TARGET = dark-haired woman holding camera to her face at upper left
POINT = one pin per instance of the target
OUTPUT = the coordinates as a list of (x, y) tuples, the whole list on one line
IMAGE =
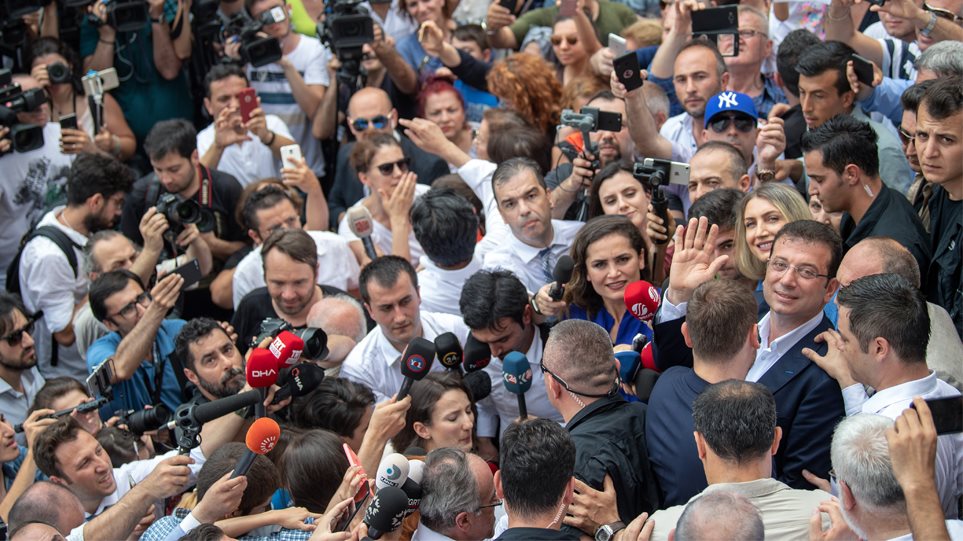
[(57, 68)]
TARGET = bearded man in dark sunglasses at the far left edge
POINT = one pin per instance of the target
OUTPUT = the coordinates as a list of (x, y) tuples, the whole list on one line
[(19, 378)]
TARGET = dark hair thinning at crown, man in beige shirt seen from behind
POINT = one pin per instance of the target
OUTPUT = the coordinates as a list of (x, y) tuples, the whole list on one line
[(737, 419)]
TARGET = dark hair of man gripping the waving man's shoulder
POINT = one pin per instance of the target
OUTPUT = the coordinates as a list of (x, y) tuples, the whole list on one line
[(872, 300)]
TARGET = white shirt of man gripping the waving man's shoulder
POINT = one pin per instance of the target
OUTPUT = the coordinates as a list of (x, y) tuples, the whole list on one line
[(892, 401)]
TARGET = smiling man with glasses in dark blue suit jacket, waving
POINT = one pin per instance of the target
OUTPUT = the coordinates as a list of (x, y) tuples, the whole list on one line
[(800, 279)]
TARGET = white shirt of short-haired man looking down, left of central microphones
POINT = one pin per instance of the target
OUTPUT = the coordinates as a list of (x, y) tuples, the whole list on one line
[(375, 362)]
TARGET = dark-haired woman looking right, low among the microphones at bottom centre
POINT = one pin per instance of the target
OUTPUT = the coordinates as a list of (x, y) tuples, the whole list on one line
[(441, 415)]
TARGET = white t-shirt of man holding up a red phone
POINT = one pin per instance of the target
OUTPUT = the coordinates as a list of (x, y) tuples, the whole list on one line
[(248, 161)]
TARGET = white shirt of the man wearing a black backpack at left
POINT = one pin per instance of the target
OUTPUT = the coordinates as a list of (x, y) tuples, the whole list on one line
[(48, 283)]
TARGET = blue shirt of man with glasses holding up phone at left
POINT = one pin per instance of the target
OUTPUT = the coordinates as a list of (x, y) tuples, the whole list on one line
[(135, 393)]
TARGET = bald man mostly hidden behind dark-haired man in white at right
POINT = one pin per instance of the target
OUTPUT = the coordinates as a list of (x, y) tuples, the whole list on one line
[(877, 255)]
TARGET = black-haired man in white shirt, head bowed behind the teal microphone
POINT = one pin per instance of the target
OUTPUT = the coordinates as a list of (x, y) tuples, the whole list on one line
[(496, 309)]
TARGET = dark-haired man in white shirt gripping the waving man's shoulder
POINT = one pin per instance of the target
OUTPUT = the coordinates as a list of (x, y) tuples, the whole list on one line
[(875, 349)]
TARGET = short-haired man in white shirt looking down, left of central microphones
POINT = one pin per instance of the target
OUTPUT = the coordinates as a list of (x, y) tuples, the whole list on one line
[(389, 289)]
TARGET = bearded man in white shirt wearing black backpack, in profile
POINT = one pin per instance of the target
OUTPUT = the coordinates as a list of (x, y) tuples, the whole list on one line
[(49, 281)]
